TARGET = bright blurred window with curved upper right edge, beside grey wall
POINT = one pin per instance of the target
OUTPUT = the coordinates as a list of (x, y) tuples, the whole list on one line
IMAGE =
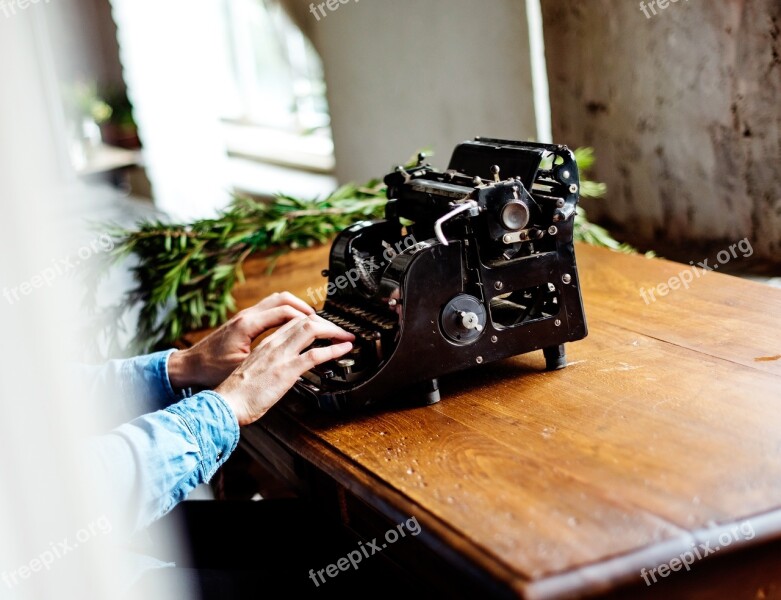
[(274, 108)]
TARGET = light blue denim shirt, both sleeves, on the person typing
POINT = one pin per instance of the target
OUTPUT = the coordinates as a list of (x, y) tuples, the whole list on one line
[(152, 462)]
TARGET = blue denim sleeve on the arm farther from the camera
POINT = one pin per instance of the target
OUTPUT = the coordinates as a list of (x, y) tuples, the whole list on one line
[(125, 389)]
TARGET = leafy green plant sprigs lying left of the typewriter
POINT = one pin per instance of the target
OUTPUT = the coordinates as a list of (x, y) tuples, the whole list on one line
[(185, 273)]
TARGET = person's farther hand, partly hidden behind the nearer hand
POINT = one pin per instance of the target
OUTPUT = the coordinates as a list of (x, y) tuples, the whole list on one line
[(206, 364)]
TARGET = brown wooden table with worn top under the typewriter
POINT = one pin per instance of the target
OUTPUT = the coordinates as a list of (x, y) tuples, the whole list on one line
[(663, 432)]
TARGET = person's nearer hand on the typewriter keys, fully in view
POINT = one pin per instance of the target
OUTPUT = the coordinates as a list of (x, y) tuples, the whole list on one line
[(276, 364)]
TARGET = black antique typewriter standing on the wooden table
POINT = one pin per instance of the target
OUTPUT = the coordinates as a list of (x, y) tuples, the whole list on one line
[(470, 265)]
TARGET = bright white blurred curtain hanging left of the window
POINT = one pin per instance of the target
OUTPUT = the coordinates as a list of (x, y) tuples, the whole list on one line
[(174, 64)]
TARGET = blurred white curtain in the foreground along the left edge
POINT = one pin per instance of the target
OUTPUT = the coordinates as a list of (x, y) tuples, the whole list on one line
[(46, 495)]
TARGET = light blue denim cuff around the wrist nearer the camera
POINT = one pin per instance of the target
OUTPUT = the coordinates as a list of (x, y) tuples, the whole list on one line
[(211, 421)]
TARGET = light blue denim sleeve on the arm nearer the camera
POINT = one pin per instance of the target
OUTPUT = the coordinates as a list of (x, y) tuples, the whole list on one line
[(152, 463)]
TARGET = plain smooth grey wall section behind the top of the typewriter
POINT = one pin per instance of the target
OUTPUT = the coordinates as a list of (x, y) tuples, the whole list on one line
[(405, 74)]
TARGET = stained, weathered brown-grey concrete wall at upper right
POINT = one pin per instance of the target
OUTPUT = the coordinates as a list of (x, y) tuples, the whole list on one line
[(684, 111)]
